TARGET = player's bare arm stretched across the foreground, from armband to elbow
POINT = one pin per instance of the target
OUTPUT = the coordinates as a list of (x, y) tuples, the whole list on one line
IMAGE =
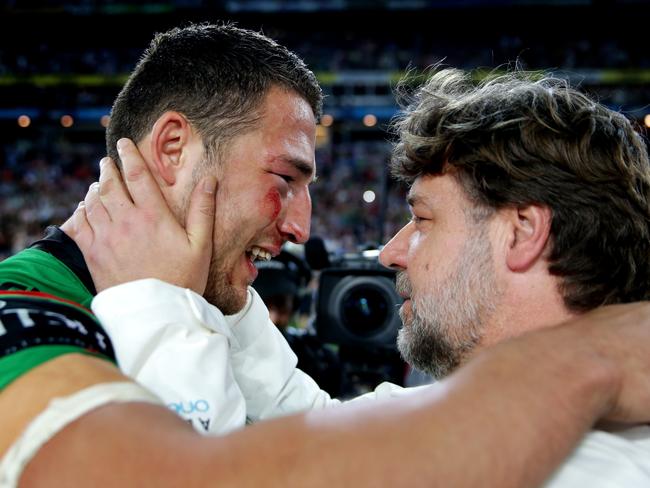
[(487, 426)]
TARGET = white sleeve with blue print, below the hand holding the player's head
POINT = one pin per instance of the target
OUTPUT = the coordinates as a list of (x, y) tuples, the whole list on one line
[(174, 343)]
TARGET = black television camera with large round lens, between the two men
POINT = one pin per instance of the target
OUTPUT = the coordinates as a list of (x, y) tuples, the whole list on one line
[(356, 310)]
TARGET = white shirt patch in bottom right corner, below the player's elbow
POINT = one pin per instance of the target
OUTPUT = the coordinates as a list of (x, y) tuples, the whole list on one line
[(607, 460)]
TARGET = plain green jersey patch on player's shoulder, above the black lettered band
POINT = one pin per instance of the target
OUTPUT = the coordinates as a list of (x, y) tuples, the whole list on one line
[(38, 270)]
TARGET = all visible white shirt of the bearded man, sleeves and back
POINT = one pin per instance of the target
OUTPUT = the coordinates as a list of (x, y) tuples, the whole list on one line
[(219, 372)]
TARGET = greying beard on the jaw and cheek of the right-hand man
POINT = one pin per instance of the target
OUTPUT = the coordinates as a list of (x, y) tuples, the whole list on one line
[(447, 320)]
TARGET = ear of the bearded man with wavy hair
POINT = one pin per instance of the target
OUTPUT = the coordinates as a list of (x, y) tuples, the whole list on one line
[(530, 228)]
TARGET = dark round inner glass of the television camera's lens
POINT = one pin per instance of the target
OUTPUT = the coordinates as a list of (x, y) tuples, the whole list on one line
[(364, 309)]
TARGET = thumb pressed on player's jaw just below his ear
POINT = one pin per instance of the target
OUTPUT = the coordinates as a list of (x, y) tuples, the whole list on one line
[(200, 217)]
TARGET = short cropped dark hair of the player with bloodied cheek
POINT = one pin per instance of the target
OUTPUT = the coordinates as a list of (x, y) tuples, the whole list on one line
[(217, 75)]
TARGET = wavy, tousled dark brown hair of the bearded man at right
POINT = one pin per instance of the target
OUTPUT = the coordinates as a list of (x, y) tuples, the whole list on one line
[(522, 138)]
